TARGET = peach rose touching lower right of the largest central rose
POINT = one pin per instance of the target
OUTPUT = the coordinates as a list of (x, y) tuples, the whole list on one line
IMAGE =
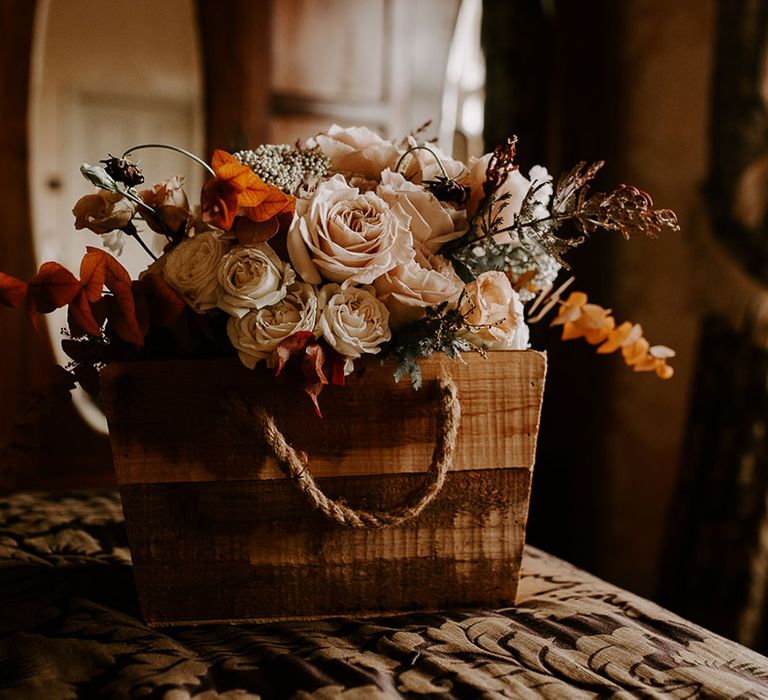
[(407, 290)]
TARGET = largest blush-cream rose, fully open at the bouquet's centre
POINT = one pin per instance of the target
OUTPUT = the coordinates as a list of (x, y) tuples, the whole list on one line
[(346, 236)]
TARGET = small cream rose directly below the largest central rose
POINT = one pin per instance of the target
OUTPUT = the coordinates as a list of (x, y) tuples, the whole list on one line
[(353, 321)]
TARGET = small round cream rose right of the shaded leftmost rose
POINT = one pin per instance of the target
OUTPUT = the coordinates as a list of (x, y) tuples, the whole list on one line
[(251, 278)]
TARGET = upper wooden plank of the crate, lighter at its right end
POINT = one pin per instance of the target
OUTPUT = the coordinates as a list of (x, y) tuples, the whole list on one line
[(169, 421)]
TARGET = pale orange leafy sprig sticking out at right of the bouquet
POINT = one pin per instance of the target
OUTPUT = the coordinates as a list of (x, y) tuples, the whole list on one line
[(597, 326)]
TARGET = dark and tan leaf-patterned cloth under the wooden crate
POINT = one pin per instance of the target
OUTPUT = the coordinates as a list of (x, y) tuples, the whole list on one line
[(69, 627)]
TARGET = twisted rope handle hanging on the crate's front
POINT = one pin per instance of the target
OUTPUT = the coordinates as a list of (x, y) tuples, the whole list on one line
[(297, 469)]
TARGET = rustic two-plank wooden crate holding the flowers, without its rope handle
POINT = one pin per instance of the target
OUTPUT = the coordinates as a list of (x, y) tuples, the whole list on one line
[(218, 533)]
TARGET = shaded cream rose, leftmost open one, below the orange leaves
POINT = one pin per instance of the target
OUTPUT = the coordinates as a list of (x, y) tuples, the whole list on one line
[(191, 268)]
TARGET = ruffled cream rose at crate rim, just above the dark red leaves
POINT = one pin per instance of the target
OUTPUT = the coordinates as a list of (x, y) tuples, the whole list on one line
[(257, 334)]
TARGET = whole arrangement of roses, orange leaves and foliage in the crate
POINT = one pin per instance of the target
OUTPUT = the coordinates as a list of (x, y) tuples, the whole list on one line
[(310, 256)]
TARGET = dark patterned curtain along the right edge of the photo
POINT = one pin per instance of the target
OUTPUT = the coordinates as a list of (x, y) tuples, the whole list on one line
[(716, 564)]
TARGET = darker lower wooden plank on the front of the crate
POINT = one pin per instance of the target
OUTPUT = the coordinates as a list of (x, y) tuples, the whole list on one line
[(252, 550)]
